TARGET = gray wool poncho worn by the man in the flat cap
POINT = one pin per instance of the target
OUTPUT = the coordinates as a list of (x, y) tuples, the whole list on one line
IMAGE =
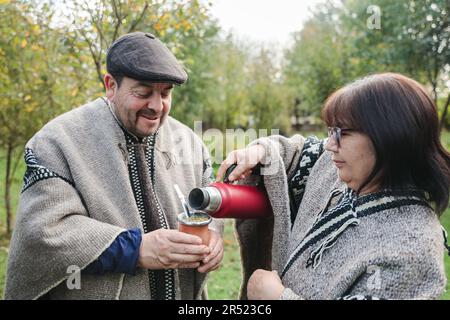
[(84, 186)]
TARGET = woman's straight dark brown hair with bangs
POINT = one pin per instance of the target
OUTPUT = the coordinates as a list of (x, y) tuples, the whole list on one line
[(401, 120)]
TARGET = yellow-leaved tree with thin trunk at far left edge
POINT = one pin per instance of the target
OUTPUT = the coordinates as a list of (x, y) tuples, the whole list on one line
[(35, 81)]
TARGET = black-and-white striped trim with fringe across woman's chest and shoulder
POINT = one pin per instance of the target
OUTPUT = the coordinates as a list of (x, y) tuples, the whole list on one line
[(330, 225)]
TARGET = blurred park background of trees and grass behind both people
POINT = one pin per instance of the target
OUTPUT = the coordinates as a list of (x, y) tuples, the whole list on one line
[(52, 59)]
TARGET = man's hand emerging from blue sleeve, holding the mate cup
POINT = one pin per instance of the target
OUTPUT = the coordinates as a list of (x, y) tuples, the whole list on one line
[(171, 249)]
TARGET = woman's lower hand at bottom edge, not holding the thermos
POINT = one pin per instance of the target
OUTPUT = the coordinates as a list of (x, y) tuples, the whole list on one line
[(264, 285)]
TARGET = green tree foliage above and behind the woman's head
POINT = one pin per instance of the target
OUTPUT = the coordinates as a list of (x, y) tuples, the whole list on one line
[(337, 45)]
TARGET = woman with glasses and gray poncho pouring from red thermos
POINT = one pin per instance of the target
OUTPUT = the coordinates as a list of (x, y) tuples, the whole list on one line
[(356, 216)]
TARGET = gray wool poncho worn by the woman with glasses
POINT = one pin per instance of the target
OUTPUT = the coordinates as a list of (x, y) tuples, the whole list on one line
[(326, 243)]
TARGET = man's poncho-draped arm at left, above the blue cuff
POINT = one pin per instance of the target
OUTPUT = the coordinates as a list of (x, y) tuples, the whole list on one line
[(53, 233)]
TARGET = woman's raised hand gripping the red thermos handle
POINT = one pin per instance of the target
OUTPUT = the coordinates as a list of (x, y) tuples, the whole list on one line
[(246, 159)]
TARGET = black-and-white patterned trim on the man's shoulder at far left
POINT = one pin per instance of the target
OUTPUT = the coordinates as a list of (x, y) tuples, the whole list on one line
[(36, 172)]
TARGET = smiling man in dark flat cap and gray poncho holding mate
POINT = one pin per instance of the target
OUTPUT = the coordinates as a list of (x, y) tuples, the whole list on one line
[(99, 197)]
